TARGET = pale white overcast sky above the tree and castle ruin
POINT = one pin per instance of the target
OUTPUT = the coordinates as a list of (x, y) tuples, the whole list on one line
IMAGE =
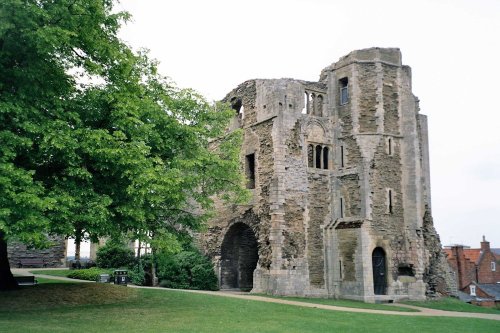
[(453, 48)]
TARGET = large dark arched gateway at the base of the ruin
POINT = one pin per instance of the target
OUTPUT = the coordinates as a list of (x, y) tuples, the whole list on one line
[(239, 256)]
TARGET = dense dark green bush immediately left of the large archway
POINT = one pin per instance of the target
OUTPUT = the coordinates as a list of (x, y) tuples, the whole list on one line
[(186, 270)]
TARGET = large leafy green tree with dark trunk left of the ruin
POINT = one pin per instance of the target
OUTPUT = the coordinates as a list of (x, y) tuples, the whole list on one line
[(93, 141)]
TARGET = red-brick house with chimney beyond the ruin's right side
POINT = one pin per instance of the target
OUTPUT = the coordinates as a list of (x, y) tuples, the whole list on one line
[(476, 269)]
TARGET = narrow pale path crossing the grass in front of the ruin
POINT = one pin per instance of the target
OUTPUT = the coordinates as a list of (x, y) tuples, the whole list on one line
[(422, 311)]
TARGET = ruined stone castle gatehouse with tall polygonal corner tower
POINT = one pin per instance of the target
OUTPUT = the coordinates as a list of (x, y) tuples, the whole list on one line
[(339, 171)]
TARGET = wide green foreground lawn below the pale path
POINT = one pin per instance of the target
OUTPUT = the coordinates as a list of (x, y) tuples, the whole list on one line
[(96, 307)]
